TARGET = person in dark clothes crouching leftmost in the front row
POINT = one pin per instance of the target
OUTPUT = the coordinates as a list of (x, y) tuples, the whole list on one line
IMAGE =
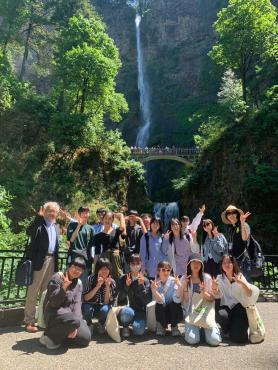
[(62, 309)]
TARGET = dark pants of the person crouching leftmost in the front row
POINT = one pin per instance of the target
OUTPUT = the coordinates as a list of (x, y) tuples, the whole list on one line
[(61, 326)]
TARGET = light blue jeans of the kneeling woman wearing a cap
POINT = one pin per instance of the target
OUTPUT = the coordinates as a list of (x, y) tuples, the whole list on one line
[(192, 335)]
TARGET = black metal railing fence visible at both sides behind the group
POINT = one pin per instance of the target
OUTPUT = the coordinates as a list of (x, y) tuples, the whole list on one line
[(12, 295)]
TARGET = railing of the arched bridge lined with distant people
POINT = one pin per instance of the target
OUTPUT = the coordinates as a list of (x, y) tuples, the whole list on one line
[(164, 151)]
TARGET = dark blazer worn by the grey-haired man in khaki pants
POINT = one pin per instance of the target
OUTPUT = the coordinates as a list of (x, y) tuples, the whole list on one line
[(38, 247)]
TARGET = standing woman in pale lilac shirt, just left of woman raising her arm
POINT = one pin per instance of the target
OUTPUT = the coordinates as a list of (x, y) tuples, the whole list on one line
[(177, 246)]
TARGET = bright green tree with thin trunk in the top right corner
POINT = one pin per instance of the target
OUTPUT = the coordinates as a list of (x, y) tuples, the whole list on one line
[(247, 31)]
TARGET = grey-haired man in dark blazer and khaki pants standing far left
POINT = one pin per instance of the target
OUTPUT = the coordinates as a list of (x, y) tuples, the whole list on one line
[(43, 252)]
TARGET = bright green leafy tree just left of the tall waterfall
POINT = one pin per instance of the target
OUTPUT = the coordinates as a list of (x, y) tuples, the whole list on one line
[(86, 67)]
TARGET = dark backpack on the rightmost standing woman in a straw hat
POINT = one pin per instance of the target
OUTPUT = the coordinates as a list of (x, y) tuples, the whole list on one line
[(256, 257)]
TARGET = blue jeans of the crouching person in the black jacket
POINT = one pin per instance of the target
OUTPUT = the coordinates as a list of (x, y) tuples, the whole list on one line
[(128, 316)]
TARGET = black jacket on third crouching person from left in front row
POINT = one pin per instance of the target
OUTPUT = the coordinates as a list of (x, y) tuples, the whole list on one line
[(138, 295)]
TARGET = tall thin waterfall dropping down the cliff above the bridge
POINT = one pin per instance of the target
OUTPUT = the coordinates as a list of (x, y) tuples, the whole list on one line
[(143, 133)]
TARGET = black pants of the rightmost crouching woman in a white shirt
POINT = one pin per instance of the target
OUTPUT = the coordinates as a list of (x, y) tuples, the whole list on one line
[(234, 321)]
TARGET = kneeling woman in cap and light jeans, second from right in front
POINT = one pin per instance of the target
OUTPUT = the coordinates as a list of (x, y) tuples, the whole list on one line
[(196, 281)]
